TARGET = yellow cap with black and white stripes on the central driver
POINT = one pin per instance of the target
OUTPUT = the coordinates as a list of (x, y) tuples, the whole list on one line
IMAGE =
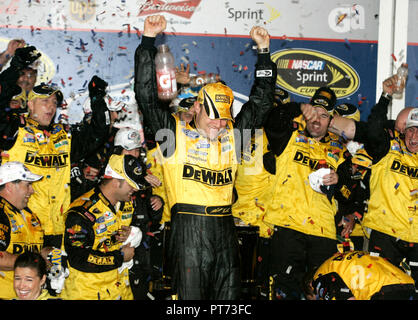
[(217, 99)]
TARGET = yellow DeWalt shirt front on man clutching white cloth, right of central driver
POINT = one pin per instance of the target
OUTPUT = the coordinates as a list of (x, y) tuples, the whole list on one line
[(294, 204)]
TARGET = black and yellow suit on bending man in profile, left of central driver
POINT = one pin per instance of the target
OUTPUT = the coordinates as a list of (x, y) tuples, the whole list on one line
[(94, 255)]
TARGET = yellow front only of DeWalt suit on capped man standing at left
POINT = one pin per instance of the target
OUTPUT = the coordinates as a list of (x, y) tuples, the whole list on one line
[(45, 153)]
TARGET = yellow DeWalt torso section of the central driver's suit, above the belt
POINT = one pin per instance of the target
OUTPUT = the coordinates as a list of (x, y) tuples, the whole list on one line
[(200, 172)]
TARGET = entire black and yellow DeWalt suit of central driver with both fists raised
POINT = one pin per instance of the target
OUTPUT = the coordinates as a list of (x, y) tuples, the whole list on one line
[(203, 245)]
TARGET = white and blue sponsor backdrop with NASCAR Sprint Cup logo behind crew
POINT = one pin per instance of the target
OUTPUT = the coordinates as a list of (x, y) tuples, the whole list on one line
[(313, 44)]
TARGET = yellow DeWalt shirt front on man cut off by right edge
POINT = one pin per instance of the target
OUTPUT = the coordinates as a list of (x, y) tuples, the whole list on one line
[(392, 207)]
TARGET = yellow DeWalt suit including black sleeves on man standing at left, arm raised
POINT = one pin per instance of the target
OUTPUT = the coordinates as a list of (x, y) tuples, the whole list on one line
[(49, 151)]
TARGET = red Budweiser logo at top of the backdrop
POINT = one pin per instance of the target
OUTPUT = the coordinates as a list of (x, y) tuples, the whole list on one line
[(183, 9)]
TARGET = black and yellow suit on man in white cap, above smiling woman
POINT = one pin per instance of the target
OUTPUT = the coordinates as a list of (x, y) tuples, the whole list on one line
[(20, 231)]
